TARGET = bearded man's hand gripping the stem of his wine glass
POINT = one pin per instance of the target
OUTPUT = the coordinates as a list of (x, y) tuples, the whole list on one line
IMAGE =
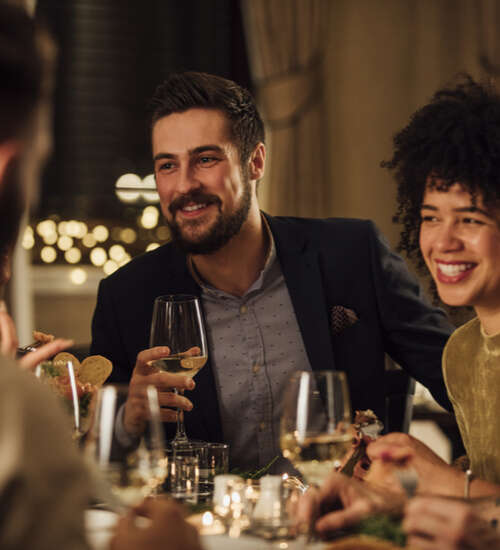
[(144, 374)]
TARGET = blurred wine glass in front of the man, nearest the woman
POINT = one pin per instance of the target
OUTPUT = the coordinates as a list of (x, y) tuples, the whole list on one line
[(316, 429)]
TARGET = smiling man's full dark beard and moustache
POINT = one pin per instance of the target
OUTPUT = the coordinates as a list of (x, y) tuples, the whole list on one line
[(226, 226)]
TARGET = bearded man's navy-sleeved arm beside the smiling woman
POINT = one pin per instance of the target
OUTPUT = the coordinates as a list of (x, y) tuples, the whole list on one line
[(415, 331)]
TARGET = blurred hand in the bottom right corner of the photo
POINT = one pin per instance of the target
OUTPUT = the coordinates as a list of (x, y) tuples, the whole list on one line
[(441, 524)]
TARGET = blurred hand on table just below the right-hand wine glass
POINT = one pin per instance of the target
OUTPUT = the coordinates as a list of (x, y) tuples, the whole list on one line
[(342, 501)]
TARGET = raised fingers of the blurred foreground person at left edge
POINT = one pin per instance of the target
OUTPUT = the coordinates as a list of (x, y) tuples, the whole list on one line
[(9, 343)]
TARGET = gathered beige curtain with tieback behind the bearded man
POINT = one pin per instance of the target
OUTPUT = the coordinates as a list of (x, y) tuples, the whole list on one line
[(286, 45)]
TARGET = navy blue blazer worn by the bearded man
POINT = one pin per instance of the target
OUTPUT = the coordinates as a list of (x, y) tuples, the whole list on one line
[(325, 263)]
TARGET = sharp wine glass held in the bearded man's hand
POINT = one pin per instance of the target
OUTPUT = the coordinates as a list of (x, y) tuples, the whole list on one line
[(178, 323)]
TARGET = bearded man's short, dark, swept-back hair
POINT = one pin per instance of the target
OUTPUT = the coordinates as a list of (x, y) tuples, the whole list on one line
[(183, 91)]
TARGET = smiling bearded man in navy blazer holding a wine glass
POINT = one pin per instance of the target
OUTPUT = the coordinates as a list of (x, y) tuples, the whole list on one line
[(278, 294)]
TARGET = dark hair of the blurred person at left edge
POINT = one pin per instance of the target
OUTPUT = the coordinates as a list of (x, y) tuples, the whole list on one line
[(21, 70)]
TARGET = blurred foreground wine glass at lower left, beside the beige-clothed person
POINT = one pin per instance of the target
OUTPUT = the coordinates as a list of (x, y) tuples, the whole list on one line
[(133, 466)]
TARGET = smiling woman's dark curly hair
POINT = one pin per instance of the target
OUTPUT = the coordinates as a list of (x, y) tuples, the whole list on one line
[(454, 138)]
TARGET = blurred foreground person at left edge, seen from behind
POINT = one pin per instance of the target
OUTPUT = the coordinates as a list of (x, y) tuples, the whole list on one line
[(44, 487)]
